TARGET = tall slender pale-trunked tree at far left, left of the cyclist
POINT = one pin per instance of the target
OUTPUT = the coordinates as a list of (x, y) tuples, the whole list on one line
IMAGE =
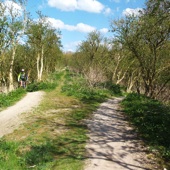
[(13, 22)]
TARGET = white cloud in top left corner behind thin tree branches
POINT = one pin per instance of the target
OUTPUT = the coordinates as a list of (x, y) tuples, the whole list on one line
[(13, 7)]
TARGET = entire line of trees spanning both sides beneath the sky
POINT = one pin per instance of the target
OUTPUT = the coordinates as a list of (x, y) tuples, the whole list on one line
[(136, 56)]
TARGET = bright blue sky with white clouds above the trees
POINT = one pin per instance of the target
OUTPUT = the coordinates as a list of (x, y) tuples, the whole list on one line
[(77, 18)]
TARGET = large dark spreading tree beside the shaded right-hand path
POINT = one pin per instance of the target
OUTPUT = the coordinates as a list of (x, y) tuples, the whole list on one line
[(146, 37)]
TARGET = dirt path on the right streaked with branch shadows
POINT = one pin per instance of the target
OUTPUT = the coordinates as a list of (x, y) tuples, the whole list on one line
[(113, 144)]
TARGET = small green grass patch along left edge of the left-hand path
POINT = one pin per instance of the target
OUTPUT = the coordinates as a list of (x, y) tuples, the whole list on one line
[(11, 97)]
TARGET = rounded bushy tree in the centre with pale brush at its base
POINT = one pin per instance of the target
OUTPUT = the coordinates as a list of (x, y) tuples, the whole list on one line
[(91, 55)]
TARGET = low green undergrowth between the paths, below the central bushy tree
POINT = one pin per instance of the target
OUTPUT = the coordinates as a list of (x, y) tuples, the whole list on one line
[(78, 87)]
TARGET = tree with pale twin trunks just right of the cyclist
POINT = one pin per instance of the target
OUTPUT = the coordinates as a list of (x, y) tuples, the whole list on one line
[(43, 40)]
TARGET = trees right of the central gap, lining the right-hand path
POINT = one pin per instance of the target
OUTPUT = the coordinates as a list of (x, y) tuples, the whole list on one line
[(137, 57)]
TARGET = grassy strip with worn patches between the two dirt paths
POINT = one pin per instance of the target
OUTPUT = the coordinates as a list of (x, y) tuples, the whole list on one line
[(54, 136)]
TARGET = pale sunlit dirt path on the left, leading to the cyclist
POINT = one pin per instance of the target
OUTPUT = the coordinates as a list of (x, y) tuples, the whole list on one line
[(10, 118)]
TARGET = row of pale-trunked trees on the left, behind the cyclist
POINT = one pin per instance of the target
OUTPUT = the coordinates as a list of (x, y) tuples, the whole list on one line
[(26, 43)]
